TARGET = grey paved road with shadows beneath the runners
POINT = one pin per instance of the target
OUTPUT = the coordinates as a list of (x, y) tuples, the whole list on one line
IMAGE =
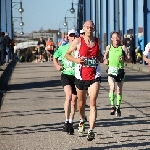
[(32, 114)]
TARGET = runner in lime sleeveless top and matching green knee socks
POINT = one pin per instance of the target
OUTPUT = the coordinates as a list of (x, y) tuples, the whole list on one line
[(114, 57)]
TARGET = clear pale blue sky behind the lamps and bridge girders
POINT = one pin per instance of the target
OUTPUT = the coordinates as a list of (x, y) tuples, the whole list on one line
[(49, 14)]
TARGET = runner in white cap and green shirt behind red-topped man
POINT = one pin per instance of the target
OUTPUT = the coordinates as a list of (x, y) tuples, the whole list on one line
[(67, 79)]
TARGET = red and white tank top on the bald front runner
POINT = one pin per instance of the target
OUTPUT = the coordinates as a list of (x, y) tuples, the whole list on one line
[(91, 68)]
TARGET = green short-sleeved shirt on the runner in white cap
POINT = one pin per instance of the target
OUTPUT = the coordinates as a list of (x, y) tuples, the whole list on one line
[(68, 66)]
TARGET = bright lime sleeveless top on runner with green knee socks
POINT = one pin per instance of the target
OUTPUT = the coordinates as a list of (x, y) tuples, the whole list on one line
[(114, 60)]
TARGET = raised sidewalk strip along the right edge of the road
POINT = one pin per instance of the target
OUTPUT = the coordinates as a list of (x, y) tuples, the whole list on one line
[(137, 66)]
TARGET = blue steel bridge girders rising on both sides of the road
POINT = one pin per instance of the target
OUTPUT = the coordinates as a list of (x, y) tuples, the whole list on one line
[(95, 10)]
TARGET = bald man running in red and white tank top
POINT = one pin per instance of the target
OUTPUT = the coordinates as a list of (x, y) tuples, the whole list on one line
[(87, 73)]
